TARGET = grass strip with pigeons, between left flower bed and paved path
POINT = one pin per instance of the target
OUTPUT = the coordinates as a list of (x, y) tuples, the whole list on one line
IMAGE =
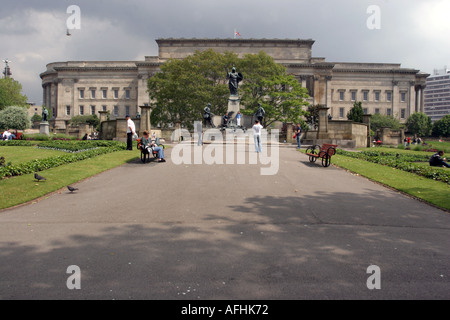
[(21, 189)]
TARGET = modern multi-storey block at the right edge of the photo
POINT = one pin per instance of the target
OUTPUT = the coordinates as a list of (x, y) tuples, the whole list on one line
[(437, 95)]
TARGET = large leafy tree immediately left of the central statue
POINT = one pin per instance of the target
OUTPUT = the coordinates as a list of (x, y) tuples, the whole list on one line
[(184, 87)]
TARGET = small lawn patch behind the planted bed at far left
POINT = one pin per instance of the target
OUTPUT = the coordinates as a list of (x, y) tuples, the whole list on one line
[(17, 155)]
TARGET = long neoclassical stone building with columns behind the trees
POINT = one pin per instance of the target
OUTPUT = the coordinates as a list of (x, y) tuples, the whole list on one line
[(120, 87)]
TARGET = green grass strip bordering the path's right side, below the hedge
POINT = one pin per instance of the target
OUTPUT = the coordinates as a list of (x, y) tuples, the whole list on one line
[(434, 192)]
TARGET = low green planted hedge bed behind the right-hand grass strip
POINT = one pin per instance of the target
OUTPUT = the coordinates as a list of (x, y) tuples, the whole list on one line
[(405, 162)]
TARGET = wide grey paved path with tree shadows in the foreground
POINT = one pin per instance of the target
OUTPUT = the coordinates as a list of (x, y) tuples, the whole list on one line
[(165, 231)]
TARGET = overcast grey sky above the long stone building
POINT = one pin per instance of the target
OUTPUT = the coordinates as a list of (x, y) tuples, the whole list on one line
[(414, 33)]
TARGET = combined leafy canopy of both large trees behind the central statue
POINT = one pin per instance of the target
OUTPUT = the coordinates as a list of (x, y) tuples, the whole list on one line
[(184, 87)]
